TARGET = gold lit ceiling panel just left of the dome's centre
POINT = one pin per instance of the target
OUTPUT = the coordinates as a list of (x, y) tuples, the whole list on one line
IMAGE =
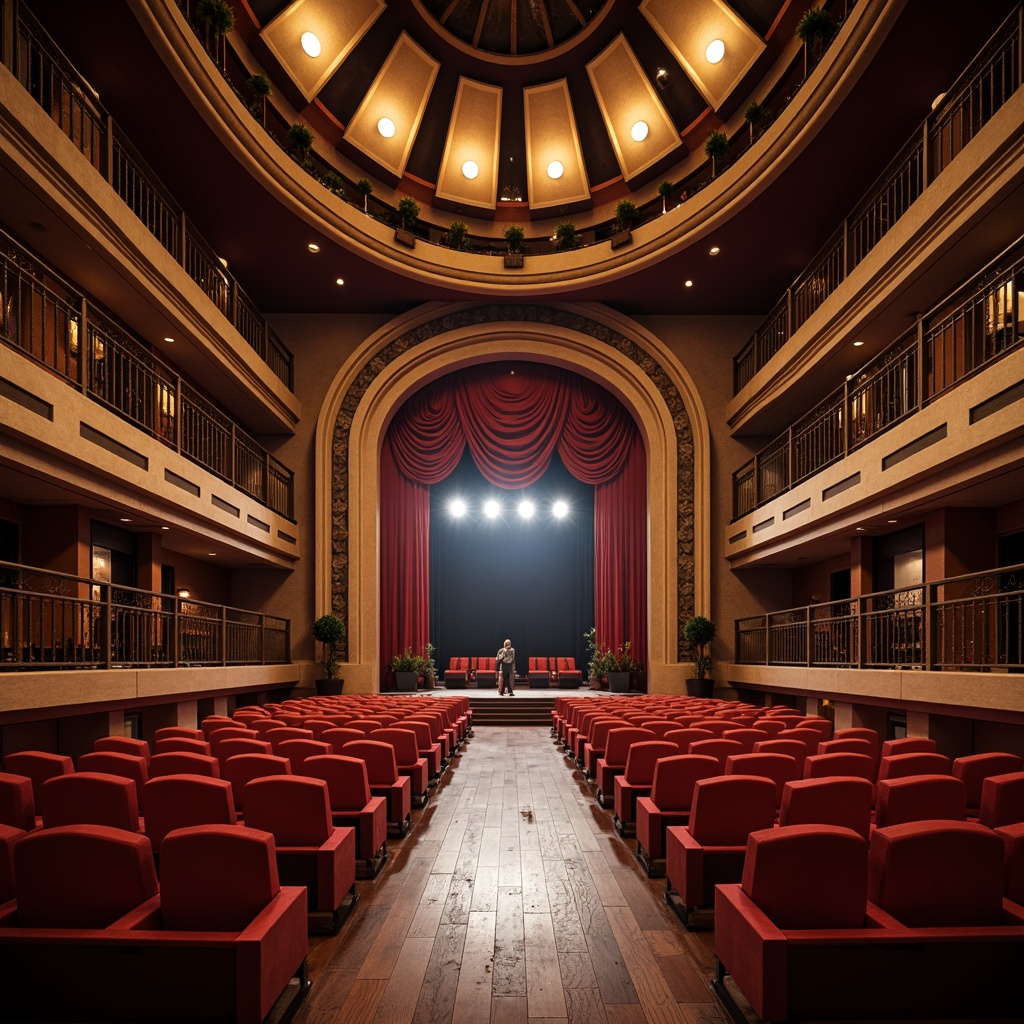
[(475, 135)]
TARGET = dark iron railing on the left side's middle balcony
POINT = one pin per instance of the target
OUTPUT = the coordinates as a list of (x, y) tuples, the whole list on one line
[(60, 328)]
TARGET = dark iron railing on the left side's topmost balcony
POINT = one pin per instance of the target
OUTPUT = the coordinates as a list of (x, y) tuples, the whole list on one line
[(53, 82)]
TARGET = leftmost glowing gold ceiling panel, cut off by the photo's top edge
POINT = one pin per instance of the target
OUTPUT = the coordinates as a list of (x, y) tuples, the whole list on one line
[(339, 25)]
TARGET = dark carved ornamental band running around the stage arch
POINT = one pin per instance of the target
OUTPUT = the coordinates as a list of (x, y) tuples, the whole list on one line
[(563, 320)]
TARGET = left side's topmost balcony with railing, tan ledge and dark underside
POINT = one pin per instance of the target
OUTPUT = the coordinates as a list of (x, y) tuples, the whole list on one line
[(97, 214)]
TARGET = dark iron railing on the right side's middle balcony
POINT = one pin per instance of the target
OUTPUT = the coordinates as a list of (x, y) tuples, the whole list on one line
[(969, 330)]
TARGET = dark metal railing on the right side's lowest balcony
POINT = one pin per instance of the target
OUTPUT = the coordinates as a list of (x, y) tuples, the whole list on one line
[(968, 623)]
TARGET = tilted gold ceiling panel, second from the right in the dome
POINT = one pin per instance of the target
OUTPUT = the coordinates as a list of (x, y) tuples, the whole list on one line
[(626, 97)]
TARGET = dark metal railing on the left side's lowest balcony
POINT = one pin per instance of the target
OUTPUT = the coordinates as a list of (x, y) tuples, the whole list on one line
[(52, 621)]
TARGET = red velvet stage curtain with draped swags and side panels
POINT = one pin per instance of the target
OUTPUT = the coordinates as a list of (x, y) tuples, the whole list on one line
[(514, 418)]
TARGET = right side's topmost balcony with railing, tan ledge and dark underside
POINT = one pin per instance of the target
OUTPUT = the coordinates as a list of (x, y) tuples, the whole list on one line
[(952, 196)]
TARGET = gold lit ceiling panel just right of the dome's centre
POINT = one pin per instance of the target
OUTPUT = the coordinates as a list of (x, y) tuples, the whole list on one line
[(551, 137)]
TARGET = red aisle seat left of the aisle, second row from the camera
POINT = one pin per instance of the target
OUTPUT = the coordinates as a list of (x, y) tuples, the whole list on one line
[(311, 850)]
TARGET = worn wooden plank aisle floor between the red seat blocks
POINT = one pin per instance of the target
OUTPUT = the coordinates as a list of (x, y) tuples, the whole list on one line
[(511, 901)]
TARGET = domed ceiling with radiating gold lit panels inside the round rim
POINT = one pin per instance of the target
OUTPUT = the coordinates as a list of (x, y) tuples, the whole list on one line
[(562, 105)]
